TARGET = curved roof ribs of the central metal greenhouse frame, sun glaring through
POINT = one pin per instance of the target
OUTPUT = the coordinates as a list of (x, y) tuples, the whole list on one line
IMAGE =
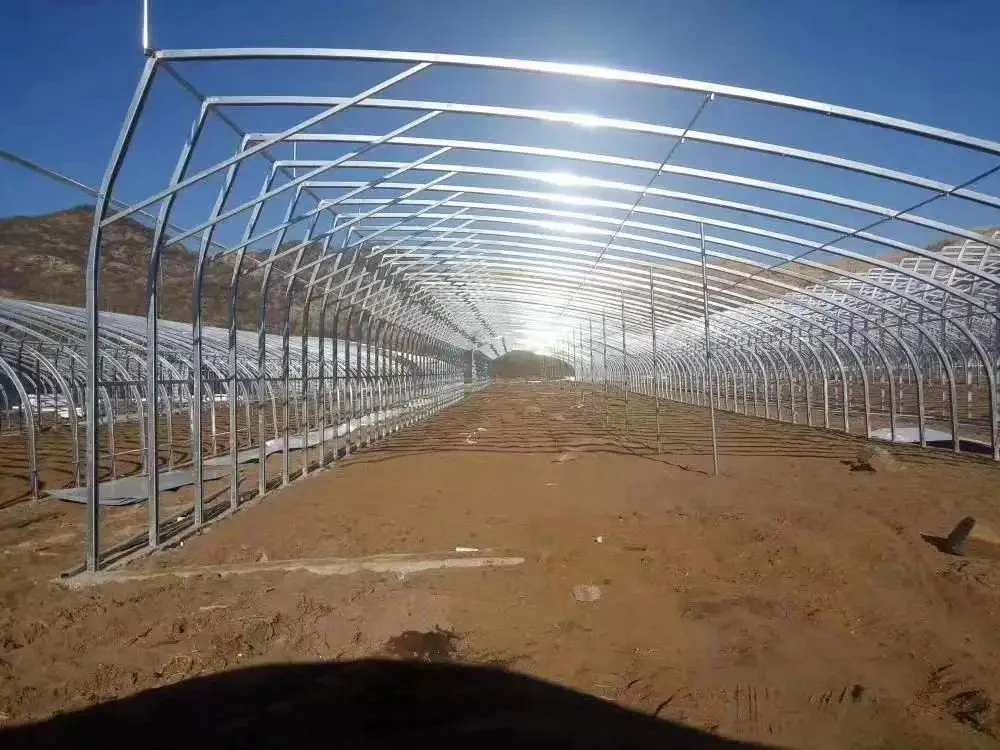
[(487, 216)]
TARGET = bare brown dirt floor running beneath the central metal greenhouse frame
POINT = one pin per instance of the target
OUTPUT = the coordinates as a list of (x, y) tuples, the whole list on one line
[(790, 601)]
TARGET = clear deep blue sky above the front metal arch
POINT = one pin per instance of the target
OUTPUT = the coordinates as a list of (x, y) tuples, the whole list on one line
[(68, 67)]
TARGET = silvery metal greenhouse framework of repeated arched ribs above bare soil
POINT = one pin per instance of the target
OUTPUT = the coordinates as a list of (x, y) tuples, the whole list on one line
[(734, 272)]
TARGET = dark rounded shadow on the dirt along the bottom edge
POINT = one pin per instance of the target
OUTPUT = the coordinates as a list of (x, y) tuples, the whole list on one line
[(362, 704)]
